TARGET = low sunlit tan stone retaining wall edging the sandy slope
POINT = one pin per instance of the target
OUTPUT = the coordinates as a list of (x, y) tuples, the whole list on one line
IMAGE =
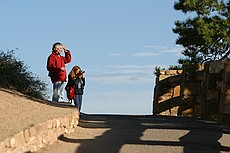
[(37, 136)]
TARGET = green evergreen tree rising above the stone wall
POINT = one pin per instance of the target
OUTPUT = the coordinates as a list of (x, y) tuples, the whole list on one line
[(206, 35)]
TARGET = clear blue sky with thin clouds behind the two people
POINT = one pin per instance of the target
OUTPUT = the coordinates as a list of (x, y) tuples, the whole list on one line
[(117, 42)]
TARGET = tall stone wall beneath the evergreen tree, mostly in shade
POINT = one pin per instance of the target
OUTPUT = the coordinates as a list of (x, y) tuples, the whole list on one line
[(201, 91)]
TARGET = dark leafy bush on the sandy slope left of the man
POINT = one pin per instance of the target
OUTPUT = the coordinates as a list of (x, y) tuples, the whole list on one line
[(14, 74)]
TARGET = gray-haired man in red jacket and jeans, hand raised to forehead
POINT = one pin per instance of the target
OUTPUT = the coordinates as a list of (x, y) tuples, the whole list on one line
[(57, 71)]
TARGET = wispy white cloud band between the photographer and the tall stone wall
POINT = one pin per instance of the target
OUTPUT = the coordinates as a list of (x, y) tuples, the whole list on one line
[(124, 74)]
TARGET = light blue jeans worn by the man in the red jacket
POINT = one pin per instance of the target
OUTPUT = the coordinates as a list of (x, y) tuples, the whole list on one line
[(58, 91)]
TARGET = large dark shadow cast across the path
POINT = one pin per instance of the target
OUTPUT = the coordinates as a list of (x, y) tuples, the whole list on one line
[(128, 130)]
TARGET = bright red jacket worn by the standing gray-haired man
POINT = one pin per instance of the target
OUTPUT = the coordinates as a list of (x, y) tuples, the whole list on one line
[(54, 64)]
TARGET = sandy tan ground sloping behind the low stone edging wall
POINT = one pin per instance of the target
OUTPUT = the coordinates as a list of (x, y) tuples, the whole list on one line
[(19, 112)]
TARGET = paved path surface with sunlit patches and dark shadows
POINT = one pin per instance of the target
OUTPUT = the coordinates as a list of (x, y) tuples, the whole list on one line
[(142, 134)]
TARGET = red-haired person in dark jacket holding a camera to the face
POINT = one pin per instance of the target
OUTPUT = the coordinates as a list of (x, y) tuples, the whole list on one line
[(76, 78)]
